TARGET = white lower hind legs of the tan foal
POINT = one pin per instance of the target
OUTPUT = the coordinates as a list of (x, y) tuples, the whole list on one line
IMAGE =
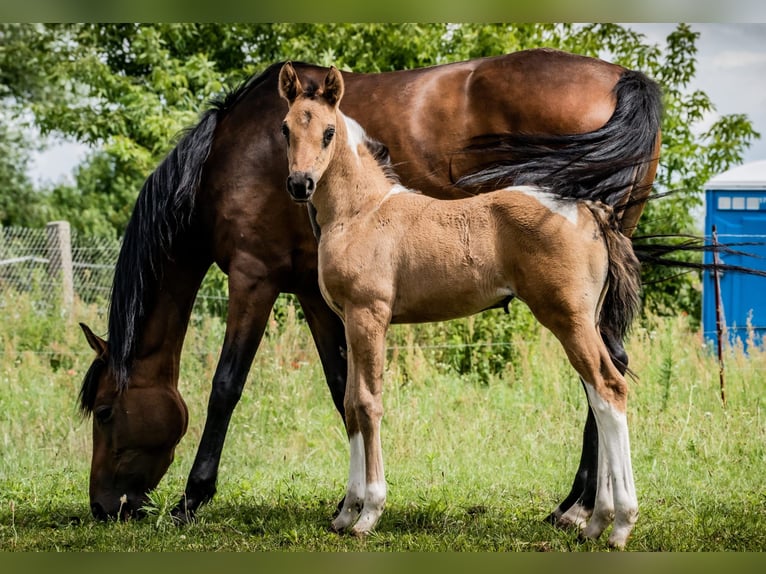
[(616, 492)]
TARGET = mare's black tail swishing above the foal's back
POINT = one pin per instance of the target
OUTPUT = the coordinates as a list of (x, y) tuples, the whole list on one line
[(600, 165)]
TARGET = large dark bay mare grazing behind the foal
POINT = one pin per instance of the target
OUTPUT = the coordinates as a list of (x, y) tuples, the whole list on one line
[(218, 197)]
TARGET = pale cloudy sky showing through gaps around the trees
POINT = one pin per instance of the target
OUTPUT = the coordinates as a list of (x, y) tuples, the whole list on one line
[(731, 62)]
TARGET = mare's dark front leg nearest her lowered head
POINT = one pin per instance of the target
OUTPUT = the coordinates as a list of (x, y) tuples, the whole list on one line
[(250, 305)]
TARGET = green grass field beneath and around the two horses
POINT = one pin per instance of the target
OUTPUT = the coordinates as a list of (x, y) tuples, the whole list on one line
[(471, 465)]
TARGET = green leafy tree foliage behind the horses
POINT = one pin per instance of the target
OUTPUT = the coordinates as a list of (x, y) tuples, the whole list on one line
[(127, 90)]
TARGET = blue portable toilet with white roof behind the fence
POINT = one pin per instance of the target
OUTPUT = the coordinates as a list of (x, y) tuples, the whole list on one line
[(735, 203)]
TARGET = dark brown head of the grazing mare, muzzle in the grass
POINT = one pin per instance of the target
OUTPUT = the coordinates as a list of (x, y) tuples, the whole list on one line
[(135, 433)]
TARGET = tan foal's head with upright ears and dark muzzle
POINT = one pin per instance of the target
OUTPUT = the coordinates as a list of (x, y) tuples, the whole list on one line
[(309, 128)]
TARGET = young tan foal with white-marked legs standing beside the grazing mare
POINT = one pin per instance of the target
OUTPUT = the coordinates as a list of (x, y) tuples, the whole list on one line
[(391, 255)]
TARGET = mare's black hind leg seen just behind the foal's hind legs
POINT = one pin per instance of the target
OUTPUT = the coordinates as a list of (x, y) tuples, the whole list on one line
[(577, 507)]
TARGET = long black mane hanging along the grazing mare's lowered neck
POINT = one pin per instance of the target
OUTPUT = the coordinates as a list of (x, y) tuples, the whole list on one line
[(163, 209)]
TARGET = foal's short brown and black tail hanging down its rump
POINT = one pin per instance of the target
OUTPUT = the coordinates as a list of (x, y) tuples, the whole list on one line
[(622, 300)]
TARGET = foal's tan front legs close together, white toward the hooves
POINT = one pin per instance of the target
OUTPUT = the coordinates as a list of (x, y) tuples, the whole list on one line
[(366, 488)]
